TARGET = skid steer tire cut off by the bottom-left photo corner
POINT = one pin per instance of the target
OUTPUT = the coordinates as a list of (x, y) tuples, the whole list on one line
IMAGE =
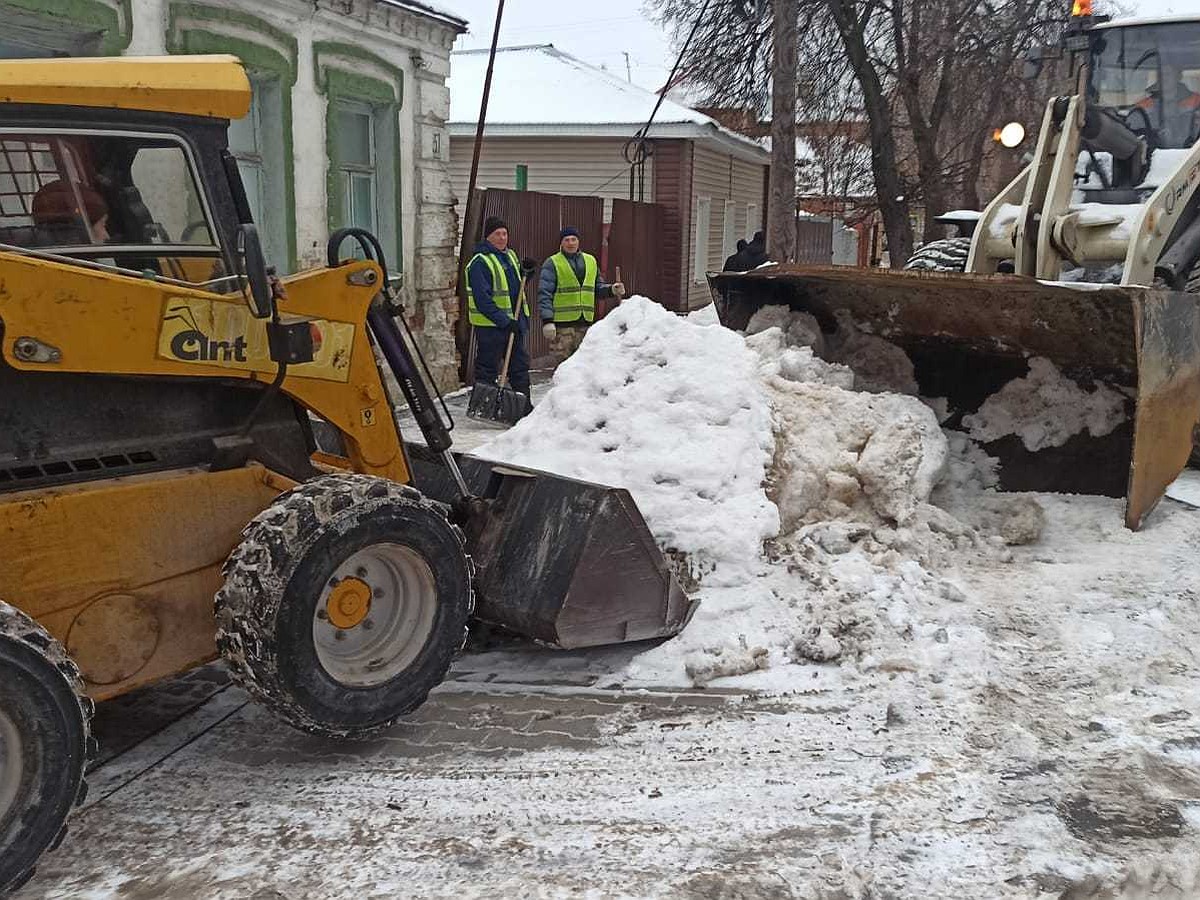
[(45, 745)]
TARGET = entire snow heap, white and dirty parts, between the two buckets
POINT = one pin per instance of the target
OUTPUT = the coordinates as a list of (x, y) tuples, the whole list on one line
[(796, 488)]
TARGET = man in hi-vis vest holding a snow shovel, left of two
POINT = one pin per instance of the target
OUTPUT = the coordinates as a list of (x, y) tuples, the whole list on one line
[(497, 307)]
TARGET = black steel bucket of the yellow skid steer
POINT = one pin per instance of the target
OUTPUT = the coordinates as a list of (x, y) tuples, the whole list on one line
[(567, 563)]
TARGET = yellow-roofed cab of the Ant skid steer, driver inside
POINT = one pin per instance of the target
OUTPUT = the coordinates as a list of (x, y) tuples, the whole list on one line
[(98, 170)]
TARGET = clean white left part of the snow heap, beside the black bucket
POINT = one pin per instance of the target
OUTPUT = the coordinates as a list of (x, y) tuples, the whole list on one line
[(674, 411)]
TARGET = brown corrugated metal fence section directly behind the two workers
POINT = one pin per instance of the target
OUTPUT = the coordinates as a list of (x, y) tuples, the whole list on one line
[(535, 221)]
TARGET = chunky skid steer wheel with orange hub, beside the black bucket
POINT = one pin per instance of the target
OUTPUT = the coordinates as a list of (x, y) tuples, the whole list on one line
[(345, 604)]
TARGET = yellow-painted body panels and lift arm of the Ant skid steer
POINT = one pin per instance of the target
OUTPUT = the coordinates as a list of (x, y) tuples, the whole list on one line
[(123, 572)]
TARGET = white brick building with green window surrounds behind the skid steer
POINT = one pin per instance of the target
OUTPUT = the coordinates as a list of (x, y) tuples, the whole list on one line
[(347, 124)]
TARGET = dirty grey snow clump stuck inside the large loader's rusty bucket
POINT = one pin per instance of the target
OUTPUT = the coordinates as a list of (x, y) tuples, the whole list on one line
[(1046, 409)]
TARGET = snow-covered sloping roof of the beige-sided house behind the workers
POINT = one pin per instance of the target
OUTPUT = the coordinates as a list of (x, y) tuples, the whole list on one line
[(539, 89)]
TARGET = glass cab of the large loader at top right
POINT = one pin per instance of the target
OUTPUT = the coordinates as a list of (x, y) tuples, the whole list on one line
[(1149, 74)]
